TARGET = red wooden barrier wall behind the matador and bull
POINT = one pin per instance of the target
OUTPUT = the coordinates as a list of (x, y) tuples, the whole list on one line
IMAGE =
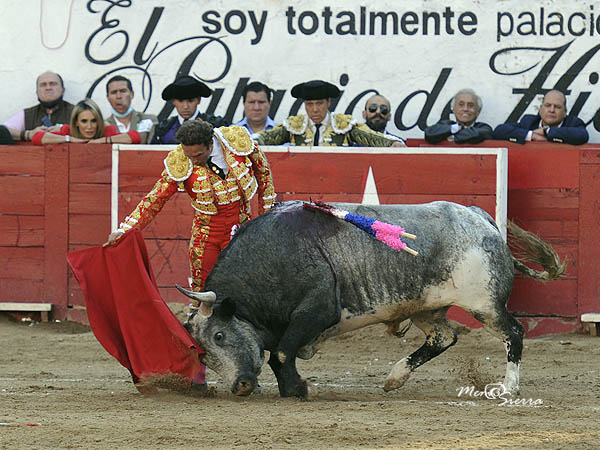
[(57, 198)]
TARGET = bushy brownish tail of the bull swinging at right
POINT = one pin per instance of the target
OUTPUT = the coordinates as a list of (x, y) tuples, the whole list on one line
[(529, 247)]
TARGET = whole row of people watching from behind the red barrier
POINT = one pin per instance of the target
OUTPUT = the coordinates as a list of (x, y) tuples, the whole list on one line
[(54, 119)]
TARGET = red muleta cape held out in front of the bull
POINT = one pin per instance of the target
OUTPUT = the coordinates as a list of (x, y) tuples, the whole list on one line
[(128, 315)]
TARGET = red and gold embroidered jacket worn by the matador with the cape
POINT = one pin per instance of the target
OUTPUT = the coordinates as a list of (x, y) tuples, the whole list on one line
[(249, 173)]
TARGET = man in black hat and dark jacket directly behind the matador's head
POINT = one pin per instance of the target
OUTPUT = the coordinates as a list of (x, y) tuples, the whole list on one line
[(185, 93)]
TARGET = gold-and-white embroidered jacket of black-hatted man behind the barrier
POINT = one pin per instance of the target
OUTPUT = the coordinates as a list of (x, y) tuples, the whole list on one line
[(342, 130)]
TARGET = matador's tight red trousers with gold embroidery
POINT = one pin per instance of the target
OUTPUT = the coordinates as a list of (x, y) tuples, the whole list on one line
[(206, 243)]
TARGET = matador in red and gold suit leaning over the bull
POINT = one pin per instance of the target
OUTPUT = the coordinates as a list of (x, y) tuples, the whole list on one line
[(221, 169)]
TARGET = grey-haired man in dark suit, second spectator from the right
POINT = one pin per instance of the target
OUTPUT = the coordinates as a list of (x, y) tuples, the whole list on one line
[(466, 106)]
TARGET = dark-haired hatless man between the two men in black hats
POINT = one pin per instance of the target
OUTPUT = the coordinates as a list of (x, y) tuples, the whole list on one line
[(257, 101)]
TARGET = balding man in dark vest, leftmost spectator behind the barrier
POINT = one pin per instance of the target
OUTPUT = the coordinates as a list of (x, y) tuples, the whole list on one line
[(50, 114)]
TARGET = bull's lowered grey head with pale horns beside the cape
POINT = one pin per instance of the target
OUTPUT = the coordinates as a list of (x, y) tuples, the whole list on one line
[(232, 346)]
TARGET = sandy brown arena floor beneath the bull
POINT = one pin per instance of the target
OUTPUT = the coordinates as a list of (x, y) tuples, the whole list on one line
[(59, 389)]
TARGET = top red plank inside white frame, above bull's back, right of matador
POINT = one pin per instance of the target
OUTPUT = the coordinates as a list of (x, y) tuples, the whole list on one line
[(407, 174)]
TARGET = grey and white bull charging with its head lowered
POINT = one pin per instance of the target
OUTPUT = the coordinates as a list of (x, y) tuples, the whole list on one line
[(294, 277)]
